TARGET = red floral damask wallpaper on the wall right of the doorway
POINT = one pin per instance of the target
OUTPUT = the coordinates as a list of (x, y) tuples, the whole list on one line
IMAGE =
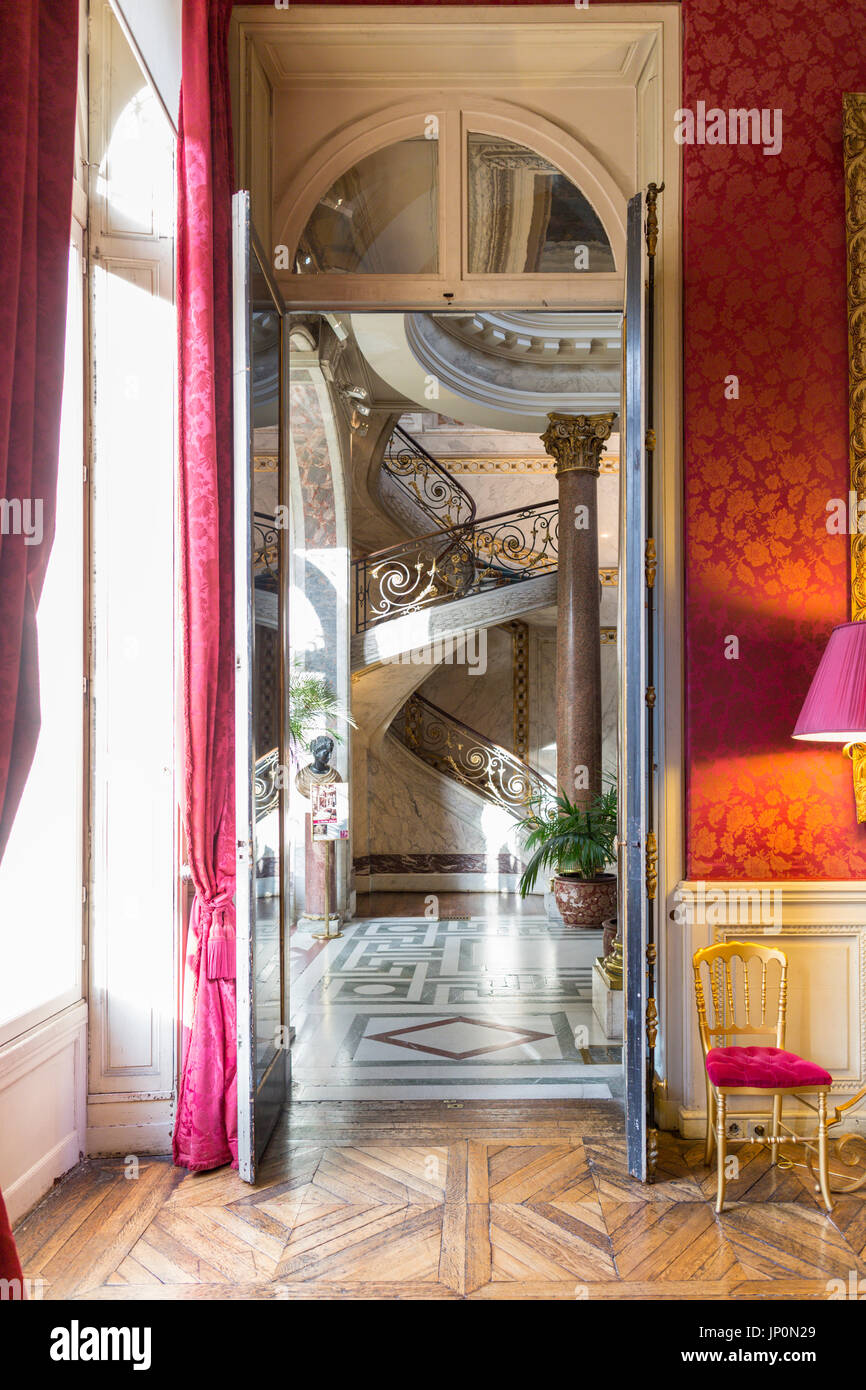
[(765, 301)]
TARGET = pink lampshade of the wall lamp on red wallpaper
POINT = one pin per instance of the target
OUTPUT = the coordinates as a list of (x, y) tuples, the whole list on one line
[(835, 711)]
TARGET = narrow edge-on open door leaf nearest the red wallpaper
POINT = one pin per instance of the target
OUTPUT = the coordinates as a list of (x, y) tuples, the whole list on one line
[(639, 846)]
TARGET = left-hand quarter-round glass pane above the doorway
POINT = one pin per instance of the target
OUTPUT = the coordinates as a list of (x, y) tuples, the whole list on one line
[(380, 218)]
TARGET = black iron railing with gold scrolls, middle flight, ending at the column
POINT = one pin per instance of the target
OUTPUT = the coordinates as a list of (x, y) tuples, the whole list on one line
[(457, 564)]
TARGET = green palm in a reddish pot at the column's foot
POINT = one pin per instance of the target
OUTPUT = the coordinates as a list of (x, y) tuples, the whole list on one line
[(579, 844)]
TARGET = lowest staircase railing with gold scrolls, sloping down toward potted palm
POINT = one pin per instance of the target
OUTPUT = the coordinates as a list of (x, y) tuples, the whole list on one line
[(461, 753)]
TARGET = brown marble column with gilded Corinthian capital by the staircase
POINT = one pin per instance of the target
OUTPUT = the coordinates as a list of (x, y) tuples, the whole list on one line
[(576, 443)]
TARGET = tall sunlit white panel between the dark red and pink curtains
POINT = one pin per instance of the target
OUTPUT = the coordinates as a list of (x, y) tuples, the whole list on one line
[(134, 808)]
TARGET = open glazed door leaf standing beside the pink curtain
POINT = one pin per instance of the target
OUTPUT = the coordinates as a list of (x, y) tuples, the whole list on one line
[(261, 705)]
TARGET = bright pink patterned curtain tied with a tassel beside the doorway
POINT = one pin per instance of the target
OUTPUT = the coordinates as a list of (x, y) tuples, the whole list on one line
[(206, 1129)]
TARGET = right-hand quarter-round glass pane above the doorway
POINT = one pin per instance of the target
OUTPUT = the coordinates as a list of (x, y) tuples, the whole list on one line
[(526, 218)]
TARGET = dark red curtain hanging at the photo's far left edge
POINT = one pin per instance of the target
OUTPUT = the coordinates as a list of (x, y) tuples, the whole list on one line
[(38, 87)]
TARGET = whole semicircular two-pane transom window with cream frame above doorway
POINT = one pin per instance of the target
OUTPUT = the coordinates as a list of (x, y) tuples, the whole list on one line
[(465, 209)]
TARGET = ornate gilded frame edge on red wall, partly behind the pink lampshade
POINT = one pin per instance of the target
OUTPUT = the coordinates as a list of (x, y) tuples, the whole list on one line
[(856, 237)]
